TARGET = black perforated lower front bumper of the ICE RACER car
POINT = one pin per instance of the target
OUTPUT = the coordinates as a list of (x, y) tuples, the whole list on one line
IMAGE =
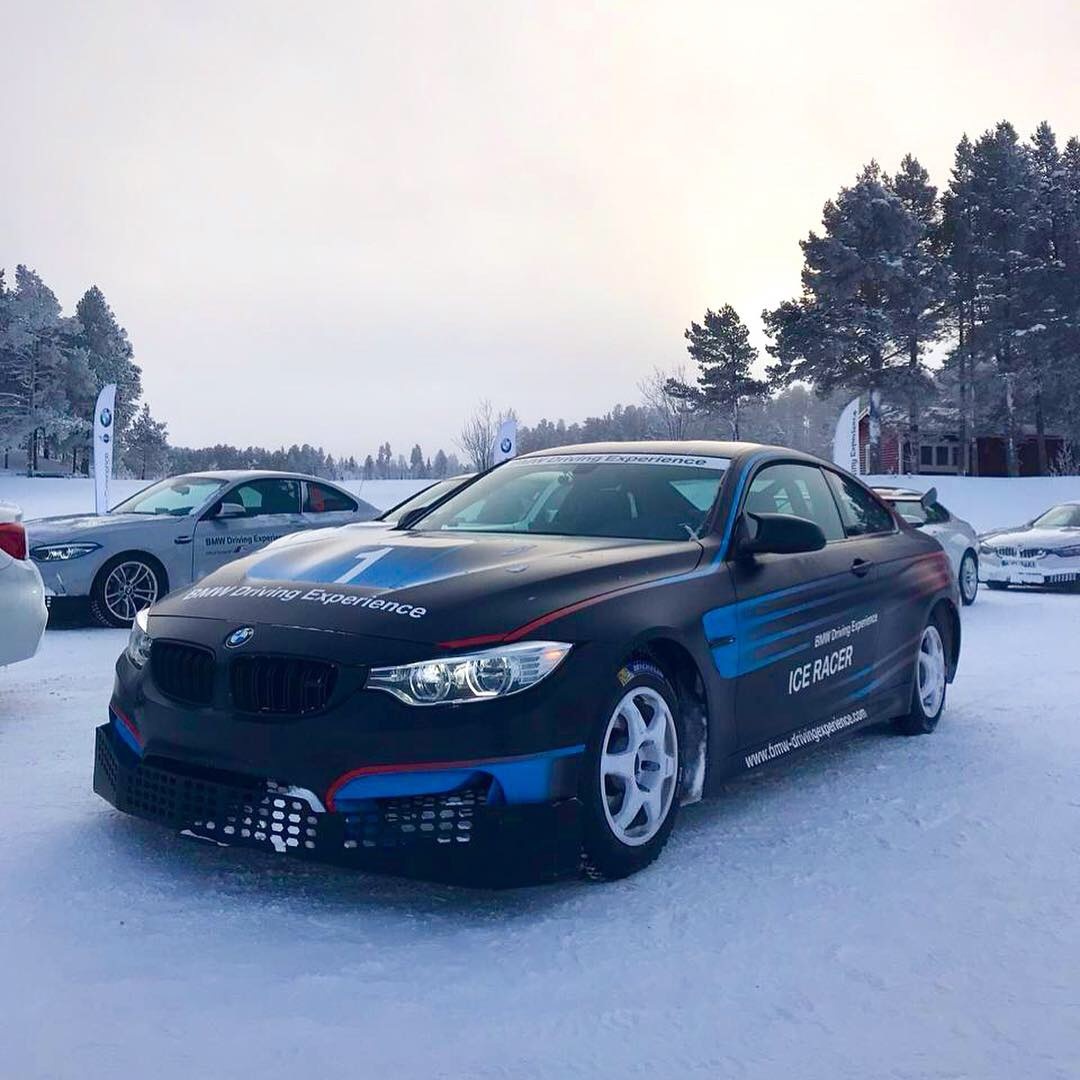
[(453, 836)]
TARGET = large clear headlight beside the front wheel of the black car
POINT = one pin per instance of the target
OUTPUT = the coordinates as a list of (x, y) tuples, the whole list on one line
[(478, 677)]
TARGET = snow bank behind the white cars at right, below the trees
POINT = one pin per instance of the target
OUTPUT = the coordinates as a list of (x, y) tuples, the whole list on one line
[(991, 503)]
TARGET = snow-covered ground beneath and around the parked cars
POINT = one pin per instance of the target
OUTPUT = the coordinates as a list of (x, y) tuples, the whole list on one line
[(884, 908)]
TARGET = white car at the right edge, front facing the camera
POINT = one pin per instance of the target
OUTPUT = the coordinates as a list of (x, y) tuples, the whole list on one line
[(1043, 552)]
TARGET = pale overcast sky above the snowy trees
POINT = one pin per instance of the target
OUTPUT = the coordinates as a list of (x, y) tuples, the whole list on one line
[(345, 223)]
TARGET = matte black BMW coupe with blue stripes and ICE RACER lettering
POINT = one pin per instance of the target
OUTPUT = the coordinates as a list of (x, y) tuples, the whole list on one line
[(530, 679)]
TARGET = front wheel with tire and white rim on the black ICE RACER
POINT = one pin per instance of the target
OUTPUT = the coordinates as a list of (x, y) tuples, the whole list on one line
[(631, 777)]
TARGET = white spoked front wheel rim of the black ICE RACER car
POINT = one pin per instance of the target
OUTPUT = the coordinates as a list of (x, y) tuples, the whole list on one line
[(639, 767)]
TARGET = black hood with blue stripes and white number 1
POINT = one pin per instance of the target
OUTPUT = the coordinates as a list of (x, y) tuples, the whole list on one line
[(424, 587)]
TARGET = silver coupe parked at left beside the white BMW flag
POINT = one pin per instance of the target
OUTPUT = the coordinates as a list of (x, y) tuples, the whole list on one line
[(179, 531)]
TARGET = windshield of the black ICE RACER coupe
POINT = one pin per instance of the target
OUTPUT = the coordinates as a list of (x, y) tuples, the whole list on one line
[(636, 496)]
